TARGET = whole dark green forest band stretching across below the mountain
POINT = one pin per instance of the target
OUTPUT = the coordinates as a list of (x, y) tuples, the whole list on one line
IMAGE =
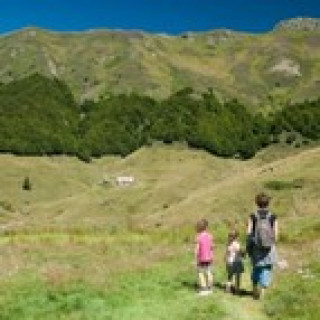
[(39, 116)]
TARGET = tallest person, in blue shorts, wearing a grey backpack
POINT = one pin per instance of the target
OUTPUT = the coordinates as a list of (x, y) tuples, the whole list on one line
[(262, 233)]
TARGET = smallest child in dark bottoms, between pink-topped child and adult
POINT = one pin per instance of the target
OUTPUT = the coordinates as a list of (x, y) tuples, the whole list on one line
[(234, 264)]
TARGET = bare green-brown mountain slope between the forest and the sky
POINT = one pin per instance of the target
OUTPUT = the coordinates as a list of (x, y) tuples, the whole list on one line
[(277, 66)]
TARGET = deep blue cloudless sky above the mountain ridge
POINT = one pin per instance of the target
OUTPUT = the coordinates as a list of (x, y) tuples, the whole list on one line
[(167, 16)]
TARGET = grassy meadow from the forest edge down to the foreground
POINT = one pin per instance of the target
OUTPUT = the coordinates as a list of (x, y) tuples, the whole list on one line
[(77, 246)]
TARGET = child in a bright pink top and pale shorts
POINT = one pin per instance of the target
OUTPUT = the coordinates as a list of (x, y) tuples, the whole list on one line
[(204, 257)]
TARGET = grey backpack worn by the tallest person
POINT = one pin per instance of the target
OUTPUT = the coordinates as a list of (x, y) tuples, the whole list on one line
[(264, 236)]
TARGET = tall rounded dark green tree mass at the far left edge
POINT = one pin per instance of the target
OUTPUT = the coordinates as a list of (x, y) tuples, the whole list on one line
[(37, 116)]
